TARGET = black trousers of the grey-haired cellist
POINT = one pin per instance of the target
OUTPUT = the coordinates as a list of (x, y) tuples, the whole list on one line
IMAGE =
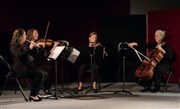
[(157, 76)]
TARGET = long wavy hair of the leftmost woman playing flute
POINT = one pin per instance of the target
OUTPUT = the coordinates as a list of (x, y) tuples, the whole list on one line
[(17, 34)]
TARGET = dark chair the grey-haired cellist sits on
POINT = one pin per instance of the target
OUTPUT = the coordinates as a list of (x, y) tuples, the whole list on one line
[(170, 73)]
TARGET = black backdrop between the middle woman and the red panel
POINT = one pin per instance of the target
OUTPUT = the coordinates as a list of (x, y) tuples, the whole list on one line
[(119, 29)]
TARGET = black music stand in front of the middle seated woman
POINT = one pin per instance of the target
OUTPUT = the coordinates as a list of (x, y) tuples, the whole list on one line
[(96, 55)]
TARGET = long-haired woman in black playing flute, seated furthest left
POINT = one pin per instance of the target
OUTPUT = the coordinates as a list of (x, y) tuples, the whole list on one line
[(23, 63)]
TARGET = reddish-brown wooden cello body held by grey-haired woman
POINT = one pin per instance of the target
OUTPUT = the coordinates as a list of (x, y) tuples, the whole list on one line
[(146, 69)]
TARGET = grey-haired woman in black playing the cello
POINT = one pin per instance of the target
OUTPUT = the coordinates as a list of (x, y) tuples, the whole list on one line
[(163, 65)]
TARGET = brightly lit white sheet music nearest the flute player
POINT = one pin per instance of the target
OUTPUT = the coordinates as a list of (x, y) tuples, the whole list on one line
[(56, 52)]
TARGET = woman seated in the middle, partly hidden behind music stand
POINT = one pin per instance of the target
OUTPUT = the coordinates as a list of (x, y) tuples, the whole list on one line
[(85, 63)]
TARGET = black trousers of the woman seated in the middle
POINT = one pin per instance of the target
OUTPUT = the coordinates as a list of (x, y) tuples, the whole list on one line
[(87, 66)]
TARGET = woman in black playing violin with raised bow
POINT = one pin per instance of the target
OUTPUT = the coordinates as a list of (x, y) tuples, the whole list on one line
[(40, 54)]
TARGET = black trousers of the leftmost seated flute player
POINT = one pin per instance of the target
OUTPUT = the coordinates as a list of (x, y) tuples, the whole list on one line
[(38, 77)]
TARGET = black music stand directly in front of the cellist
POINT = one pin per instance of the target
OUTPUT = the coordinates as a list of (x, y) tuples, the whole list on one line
[(122, 47)]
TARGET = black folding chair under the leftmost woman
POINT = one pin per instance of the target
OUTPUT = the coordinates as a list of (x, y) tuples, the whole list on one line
[(11, 75)]
